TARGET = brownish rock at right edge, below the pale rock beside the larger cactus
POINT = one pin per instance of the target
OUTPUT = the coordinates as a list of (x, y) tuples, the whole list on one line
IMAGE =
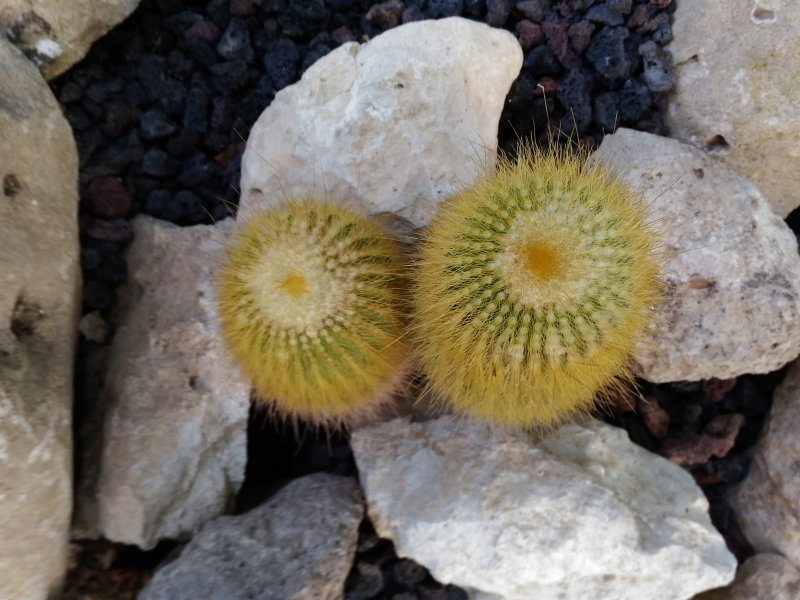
[(767, 502)]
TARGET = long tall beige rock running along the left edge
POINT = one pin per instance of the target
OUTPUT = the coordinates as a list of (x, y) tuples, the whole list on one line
[(39, 305)]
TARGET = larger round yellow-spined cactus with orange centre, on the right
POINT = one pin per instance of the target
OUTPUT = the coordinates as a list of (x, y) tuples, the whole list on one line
[(533, 287)]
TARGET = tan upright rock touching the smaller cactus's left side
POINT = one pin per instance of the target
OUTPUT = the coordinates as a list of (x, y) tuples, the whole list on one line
[(165, 445)]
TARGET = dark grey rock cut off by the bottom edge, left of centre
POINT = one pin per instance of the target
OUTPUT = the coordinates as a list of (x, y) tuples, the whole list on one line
[(299, 544)]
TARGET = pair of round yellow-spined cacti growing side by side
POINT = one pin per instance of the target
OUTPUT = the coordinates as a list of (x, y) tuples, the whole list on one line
[(531, 290)]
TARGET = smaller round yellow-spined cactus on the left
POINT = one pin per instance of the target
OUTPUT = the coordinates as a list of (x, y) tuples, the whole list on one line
[(311, 306)]
